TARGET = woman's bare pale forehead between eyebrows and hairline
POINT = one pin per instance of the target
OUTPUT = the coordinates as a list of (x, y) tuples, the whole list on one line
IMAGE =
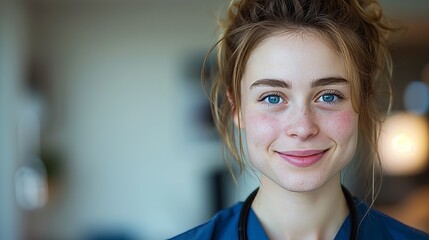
[(297, 57)]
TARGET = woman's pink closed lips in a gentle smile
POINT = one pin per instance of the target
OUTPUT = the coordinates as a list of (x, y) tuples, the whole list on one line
[(304, 158)]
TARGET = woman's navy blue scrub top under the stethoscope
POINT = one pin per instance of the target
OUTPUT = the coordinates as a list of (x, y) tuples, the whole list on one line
[(376, 225)]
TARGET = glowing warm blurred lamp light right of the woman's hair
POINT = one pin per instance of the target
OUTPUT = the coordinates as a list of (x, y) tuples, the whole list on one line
[(403, 144)]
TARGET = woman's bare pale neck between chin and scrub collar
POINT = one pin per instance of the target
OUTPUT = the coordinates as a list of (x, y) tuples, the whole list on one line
[(317, 214)]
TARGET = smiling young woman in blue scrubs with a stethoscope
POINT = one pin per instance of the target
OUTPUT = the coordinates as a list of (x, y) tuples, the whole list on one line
[(298, 79)]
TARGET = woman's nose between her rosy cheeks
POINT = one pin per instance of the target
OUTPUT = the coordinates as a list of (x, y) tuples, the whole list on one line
[(302, 124)]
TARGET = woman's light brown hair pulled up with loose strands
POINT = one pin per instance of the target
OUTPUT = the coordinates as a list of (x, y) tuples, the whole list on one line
[(356, 28)]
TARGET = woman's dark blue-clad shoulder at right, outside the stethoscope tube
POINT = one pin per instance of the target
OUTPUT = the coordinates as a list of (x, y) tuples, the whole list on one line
[(377, 225)]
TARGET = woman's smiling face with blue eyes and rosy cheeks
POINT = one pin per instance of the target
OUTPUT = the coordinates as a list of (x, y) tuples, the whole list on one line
[(296, 111)]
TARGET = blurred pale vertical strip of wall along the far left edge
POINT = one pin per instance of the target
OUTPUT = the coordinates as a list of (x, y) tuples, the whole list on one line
[(13, 35)]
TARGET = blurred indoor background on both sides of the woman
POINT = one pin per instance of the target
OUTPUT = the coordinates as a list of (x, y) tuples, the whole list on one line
[(105, 130)]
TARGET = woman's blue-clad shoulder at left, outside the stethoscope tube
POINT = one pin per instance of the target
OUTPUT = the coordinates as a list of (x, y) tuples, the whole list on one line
[(221, 226)]
